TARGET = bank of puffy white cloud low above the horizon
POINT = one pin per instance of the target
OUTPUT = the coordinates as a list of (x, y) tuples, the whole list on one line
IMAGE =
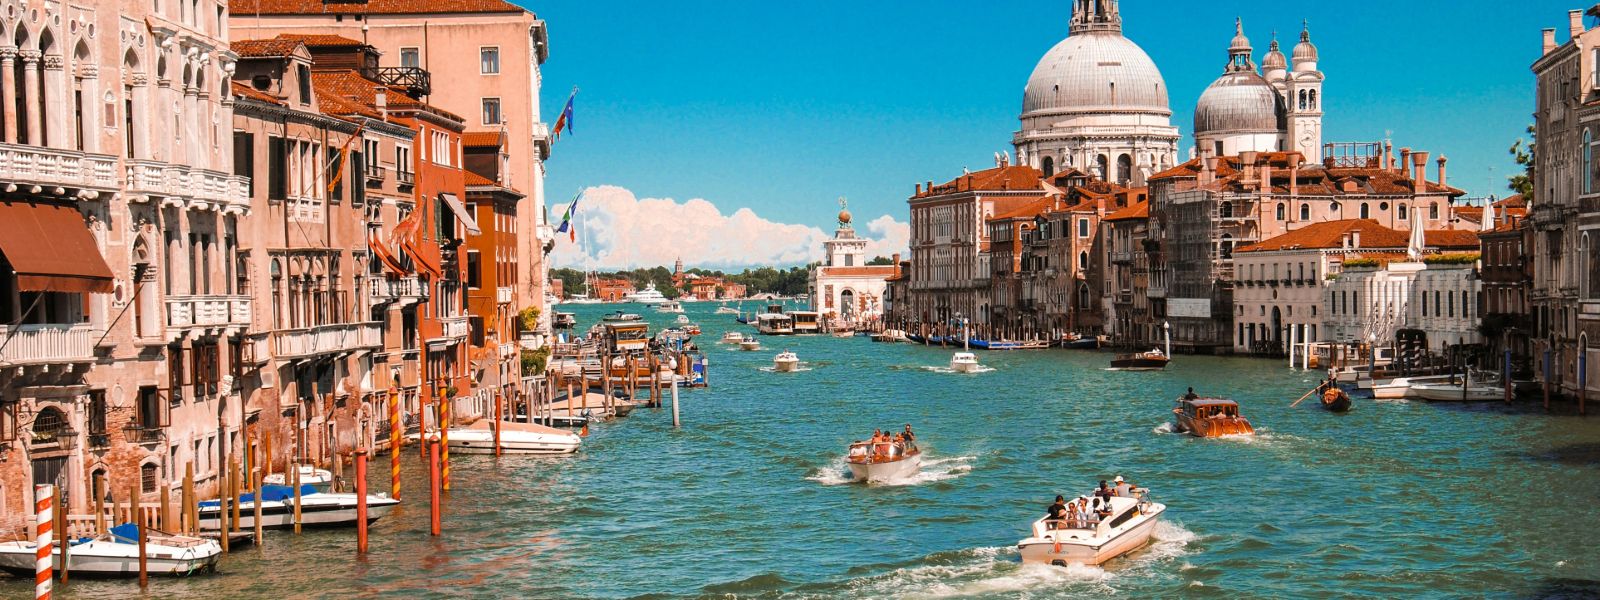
[(622, 231)]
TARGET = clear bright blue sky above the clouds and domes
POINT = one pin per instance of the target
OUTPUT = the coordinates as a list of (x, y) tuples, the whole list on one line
[(783, 108)]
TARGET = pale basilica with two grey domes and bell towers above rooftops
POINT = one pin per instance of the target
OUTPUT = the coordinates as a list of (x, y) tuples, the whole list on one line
[(1097, 103)]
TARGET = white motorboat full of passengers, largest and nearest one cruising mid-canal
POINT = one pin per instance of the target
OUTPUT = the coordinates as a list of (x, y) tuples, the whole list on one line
[(1127, 527)]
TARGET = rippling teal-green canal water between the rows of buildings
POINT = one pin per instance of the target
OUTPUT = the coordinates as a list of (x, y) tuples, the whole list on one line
[(750, 498)]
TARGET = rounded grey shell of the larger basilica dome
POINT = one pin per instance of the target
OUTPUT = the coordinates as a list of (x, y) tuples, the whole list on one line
[(1097, 71)]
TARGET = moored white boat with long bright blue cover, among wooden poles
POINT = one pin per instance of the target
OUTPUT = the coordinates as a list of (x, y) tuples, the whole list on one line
[(278, 510)]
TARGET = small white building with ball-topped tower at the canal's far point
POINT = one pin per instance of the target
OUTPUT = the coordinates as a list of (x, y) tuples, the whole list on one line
[(844, 289)]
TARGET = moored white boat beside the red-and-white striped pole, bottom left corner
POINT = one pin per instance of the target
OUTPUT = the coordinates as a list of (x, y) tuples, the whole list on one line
[(116, 554)]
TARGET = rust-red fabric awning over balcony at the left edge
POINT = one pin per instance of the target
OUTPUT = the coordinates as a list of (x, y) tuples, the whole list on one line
[(50, 249)]
